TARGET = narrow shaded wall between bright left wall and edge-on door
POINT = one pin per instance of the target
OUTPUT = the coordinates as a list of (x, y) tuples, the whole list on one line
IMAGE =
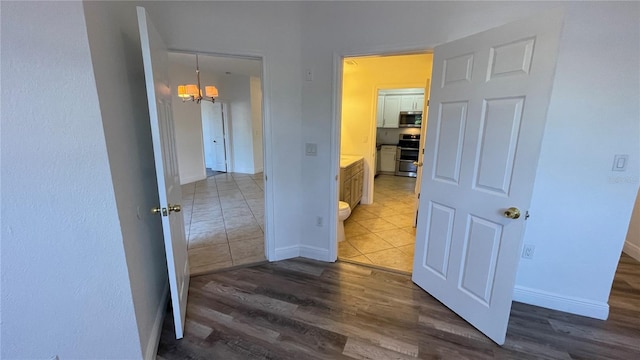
[(117, 62)]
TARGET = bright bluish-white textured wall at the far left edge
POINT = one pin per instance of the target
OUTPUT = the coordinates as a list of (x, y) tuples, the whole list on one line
[(65, 285)]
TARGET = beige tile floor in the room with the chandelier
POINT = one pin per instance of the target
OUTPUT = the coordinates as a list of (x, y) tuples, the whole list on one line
[(224, 221)]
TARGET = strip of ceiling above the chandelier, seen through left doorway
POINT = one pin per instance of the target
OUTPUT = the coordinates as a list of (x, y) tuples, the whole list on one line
[(219, 64)]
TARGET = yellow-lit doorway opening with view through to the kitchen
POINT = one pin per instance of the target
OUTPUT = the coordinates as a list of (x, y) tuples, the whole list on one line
[(381, 228)]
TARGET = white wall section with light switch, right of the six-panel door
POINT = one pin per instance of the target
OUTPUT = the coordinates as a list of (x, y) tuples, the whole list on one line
[(580, 212)]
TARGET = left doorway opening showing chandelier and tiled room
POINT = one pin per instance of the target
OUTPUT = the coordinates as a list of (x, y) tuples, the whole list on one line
[(220, 157)]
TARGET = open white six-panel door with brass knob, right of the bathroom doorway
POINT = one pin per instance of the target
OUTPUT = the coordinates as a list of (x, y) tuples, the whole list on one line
[(489, 99)]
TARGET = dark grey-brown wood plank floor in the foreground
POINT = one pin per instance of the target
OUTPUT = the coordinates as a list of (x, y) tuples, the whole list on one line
[(303, 309)]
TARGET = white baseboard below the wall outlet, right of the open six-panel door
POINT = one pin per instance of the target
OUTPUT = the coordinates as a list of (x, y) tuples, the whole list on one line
[(573, 305)]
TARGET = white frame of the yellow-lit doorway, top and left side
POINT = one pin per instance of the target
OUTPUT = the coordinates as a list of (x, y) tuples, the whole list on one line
[(336, 123)]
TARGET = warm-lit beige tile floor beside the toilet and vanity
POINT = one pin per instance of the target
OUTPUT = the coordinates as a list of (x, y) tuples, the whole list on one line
[(382, 233)]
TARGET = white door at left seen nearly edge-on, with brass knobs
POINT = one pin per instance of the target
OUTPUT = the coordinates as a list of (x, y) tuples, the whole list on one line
[(155, 59)]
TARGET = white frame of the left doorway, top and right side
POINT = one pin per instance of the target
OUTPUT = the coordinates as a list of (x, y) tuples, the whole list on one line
[(267, 145)]
